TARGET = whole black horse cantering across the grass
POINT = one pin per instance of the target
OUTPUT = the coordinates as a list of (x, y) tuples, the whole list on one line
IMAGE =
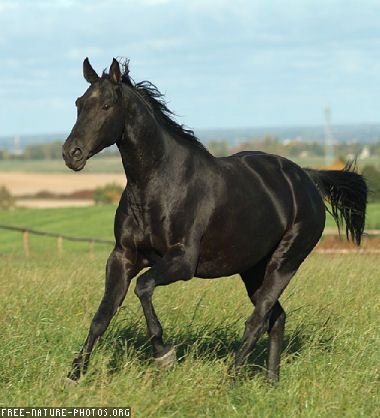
[(185, 213)]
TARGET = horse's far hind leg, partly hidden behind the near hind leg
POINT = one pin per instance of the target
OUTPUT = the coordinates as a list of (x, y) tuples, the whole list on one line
[(275, 326)]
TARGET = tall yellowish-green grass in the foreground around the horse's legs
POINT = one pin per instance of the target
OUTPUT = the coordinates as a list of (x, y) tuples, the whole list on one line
[(330, 366)]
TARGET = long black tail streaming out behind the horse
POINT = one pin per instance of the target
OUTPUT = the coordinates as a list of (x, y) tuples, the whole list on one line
[(346, 191)]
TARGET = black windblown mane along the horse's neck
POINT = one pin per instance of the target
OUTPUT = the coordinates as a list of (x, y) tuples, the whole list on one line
[(156, 101)]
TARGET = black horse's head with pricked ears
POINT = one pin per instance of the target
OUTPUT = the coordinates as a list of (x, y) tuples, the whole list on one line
[(99, 117)]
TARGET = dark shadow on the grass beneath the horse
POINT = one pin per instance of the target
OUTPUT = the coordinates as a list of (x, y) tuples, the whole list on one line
[(208, 343)]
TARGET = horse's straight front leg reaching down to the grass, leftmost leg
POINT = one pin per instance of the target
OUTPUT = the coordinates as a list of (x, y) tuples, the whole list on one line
[(119, 273)]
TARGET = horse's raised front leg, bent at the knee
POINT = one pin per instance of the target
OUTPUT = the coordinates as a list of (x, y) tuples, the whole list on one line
[(178, 264)]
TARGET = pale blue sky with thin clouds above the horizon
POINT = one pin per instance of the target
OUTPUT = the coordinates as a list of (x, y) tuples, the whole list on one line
[(220, 63)]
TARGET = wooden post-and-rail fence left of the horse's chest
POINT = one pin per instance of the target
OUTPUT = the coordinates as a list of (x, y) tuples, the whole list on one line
[(26, 232)]
